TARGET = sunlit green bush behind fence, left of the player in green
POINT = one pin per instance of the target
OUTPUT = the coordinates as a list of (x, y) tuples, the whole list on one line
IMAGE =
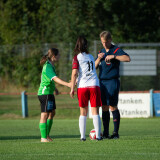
[(19, 70)]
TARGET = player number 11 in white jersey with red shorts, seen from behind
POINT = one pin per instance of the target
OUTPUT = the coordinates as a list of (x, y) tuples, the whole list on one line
[(88, 86)]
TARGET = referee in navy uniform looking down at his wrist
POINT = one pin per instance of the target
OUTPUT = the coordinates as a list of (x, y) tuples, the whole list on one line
[(108, 61)]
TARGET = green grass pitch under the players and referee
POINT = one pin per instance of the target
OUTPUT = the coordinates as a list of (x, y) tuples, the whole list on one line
[(20, 139)]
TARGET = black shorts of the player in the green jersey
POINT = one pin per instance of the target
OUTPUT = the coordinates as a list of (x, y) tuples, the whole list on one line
[(47, 103)]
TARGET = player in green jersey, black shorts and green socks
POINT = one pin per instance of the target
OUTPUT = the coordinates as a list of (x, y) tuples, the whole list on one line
[(45, 92)]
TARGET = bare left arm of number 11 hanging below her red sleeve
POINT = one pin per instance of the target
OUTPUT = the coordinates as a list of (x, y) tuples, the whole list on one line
[(73, 81)]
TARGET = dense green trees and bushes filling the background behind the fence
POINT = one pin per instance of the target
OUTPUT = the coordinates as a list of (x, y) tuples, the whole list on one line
[(51, 21)]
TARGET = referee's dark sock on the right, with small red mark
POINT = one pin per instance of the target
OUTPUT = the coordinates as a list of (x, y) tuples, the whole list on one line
[(116, 120)]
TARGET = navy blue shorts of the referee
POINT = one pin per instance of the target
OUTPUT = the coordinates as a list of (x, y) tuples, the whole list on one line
[(110, 91)]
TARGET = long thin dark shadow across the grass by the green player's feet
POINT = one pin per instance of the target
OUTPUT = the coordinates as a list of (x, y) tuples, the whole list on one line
[(37, 137)]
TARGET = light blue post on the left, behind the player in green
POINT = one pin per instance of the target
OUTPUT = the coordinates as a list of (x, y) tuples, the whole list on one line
[(24, 104)]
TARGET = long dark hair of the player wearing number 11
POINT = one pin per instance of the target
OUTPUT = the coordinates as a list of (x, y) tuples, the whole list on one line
[(81, 45)]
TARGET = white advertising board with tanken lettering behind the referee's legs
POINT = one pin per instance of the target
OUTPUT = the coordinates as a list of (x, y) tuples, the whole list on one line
[(131, 105)]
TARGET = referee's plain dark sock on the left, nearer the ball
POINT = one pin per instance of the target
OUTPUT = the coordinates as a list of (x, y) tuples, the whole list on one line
[(106, 120)]
